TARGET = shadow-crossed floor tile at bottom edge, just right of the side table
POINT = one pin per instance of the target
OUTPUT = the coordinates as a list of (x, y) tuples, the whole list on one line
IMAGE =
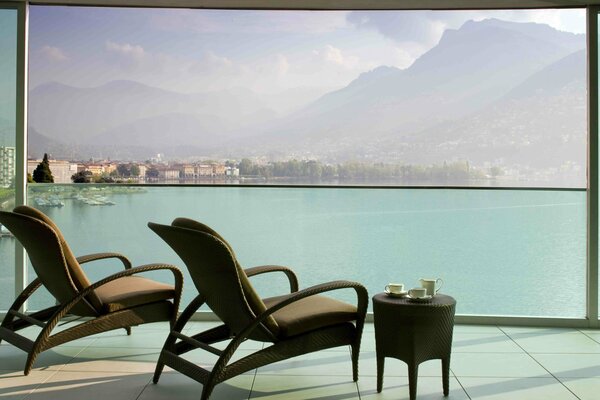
[(516, 389)]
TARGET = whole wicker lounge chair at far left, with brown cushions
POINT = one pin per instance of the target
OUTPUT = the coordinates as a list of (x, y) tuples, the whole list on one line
[(121, 300)]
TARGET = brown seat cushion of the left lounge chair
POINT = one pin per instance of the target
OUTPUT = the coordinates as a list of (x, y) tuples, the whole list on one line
[(131, 291)]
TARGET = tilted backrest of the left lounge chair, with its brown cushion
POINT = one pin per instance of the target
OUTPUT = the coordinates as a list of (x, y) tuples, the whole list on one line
[(51, 257)]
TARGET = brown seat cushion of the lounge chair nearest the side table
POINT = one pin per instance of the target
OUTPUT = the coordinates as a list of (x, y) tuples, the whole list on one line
[(310, 313)]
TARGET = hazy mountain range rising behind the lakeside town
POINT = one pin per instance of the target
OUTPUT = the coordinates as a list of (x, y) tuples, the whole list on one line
[(490, 91)]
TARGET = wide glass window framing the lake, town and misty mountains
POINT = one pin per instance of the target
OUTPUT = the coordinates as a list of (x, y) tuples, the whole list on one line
[(482, 99)]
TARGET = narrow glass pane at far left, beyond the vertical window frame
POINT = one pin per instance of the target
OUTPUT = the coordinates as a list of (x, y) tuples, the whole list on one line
[(8, 87)]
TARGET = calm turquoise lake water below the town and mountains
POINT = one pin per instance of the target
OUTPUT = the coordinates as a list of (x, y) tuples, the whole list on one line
[(499, 252)]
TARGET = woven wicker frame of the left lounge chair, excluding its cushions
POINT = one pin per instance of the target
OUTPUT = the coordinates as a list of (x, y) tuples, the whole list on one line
[(47, 253)]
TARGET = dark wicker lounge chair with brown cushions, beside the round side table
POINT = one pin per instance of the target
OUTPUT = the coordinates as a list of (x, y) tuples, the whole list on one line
[(296, 323)]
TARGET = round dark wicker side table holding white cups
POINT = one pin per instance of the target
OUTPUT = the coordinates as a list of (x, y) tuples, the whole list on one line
[(414, 332)]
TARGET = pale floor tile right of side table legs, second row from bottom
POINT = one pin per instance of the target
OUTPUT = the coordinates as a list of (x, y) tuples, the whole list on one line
[(501, 365)]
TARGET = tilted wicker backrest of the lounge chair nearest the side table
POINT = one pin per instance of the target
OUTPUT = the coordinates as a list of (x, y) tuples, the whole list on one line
[(217, 275)]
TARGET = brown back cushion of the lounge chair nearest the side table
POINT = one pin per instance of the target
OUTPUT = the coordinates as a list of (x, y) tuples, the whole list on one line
[(254, 301)]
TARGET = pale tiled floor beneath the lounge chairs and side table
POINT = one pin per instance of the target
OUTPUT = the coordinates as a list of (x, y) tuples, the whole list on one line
[(488, 362)]
